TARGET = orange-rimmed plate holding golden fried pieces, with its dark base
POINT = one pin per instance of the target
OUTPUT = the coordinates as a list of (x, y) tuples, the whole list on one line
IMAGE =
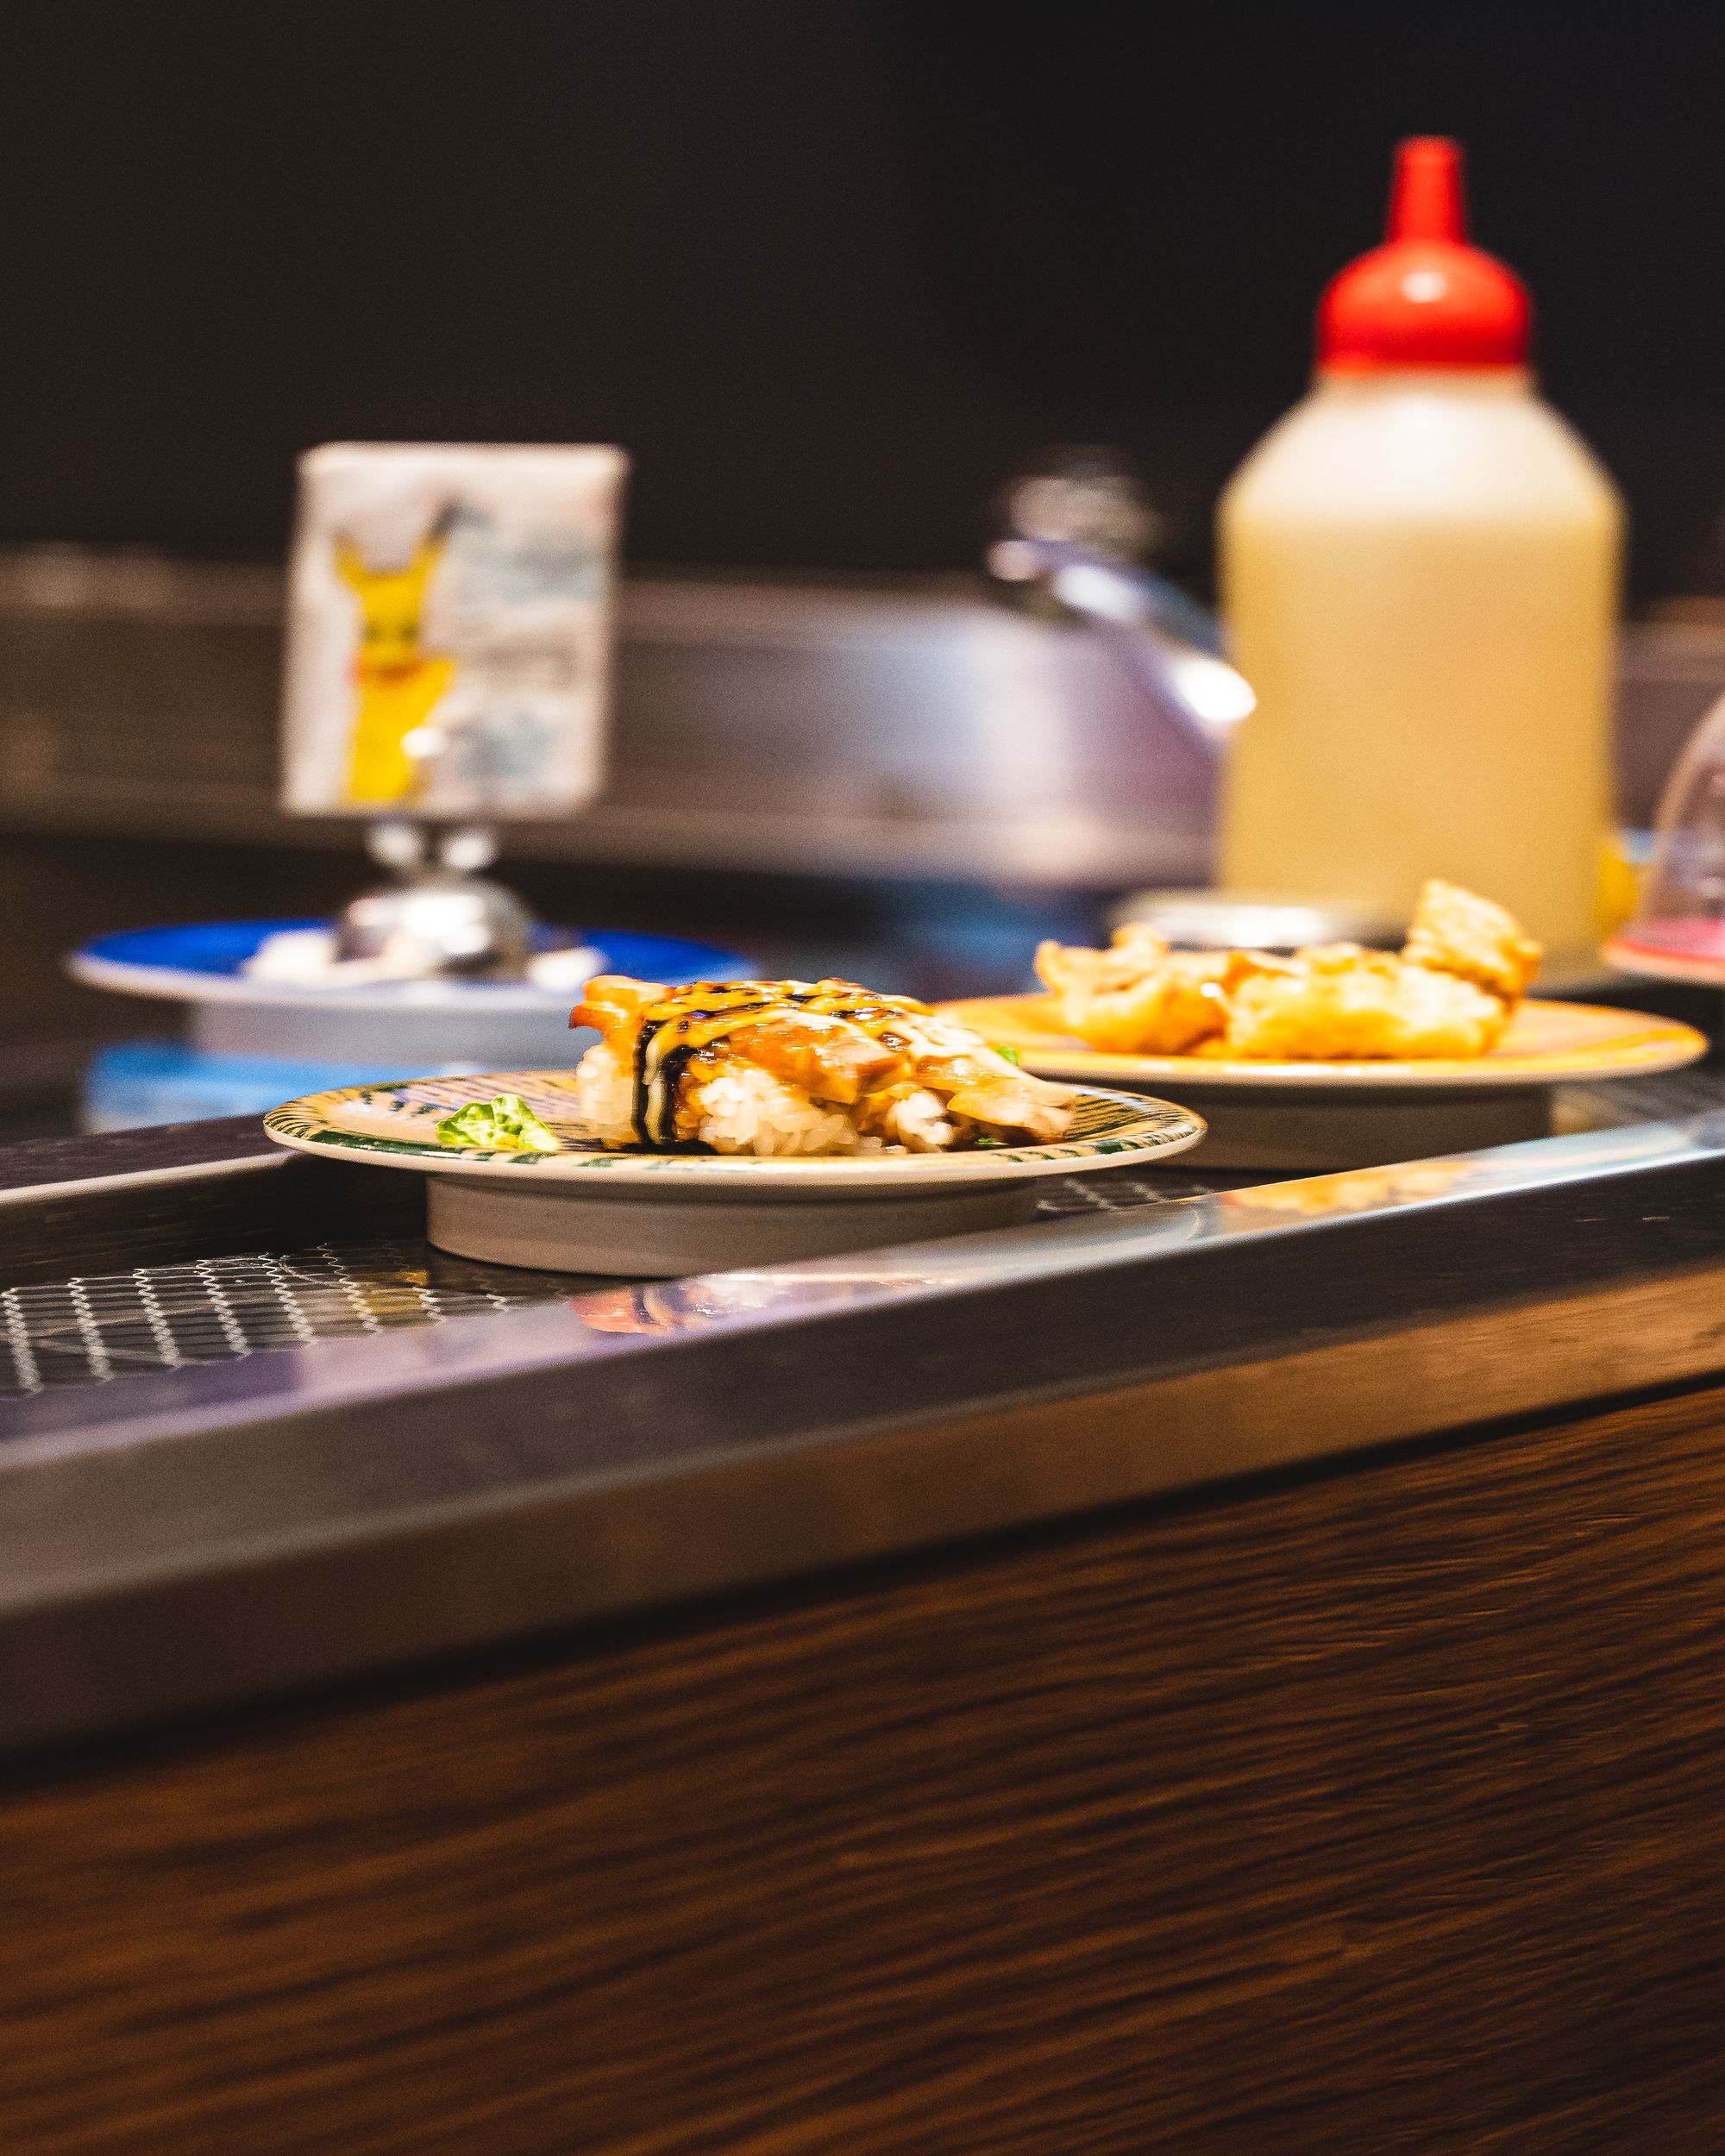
[(1331, 1058)]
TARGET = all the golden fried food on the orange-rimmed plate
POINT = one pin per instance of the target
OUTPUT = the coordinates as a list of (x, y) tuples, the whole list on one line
[(1448, 995)]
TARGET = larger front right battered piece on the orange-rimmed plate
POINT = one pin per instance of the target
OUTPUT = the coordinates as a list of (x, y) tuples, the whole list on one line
[(1347, 1006)]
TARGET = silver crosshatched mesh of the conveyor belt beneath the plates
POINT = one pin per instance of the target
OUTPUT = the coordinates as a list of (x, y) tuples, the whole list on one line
[(219, 1310)]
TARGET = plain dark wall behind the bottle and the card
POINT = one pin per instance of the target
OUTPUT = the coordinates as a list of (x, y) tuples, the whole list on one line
[(829, 268)]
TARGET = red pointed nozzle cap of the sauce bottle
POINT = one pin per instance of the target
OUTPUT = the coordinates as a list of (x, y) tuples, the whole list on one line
[(1424, 299)]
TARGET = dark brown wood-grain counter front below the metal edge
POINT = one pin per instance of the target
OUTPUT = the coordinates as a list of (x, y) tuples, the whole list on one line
[(1370, 1812)]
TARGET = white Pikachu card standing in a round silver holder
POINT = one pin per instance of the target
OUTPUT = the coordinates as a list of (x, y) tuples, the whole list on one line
[(450, 631)]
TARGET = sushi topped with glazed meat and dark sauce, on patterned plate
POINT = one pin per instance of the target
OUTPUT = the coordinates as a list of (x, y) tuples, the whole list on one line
[(799, 1068)]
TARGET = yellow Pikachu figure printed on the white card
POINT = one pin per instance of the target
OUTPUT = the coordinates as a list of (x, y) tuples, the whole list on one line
[(398, 685)]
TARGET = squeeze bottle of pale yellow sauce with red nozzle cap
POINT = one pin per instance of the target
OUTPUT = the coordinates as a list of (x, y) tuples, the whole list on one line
[(1420, 579)]
